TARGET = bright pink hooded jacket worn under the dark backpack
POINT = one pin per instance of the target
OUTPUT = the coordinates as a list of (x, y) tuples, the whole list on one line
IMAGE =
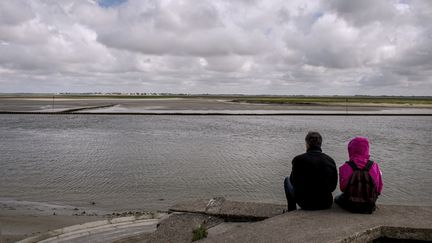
[(358, 150)]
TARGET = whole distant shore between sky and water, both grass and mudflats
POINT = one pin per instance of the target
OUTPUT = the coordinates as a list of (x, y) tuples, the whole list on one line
[(213, 105)]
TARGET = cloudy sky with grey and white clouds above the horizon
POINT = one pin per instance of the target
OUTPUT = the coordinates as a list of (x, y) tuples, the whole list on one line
[(217, 46)]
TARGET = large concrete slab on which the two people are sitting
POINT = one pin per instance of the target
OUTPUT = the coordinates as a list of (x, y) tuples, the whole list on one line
[(336, 225)]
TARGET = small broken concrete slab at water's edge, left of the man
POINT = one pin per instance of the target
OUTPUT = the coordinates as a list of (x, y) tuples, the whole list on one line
[(231, 210)]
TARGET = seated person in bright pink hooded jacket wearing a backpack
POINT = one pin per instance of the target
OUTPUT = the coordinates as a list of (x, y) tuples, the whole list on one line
[(351, 197)]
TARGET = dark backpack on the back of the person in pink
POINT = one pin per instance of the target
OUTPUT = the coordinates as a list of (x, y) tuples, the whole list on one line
[(361, 192)]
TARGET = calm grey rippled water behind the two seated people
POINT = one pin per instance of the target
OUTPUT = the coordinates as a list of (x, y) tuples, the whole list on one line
[(150, 162)]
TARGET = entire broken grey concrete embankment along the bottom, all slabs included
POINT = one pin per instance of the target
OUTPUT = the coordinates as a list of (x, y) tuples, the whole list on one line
[(332, 225)]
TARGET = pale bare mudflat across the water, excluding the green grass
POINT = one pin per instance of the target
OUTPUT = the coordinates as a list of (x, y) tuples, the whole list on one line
[(185, 104)]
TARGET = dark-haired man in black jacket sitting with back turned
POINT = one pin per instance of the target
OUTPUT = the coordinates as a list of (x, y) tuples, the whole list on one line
[(313, 177)]
